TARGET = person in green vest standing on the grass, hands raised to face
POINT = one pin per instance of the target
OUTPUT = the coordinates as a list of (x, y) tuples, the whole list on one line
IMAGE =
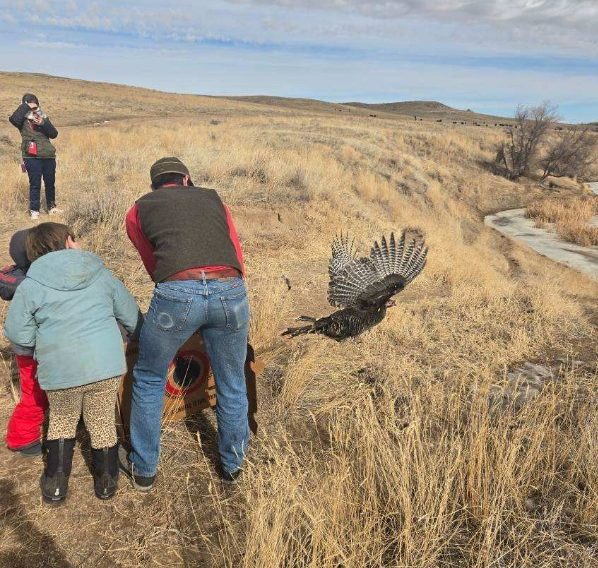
[(39, 155)]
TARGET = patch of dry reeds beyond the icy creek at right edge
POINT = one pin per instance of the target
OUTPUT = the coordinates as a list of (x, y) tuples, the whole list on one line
[(570, 217)]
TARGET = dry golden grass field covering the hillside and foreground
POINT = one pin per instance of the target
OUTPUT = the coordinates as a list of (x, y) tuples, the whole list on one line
[(381, 451)]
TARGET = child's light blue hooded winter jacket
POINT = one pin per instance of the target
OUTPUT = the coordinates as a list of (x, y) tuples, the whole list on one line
[(67, 308)]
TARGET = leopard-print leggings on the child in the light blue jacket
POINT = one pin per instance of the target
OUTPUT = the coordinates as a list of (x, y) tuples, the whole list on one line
[(97, 402)]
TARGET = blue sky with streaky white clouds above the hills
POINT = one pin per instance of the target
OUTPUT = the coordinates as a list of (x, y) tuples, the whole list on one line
[(487, 55)]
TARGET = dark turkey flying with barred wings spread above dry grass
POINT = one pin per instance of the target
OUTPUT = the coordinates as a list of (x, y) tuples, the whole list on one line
[(363, 287)]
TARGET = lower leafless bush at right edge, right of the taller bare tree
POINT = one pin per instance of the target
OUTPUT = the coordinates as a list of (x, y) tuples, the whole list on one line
[(571, 153)]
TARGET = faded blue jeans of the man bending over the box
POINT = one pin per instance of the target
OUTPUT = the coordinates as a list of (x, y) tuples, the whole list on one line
[(220, 309)]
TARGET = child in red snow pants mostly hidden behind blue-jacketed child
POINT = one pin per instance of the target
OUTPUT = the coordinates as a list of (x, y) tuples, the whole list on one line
[(24, 426)]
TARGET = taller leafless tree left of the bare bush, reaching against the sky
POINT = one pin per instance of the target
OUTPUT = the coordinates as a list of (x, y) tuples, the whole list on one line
[(518, 155)]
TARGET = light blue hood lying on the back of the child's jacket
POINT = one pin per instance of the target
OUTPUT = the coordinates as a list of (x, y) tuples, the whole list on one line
[(69, 269)]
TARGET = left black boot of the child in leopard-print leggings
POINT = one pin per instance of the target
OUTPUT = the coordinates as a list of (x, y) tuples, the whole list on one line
[(54, 481)]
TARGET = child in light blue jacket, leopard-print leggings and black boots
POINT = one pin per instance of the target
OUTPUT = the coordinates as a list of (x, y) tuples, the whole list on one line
[(67, 308)]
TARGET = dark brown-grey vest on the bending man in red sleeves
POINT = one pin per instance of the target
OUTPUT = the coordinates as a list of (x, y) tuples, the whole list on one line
[(187, 227)]
